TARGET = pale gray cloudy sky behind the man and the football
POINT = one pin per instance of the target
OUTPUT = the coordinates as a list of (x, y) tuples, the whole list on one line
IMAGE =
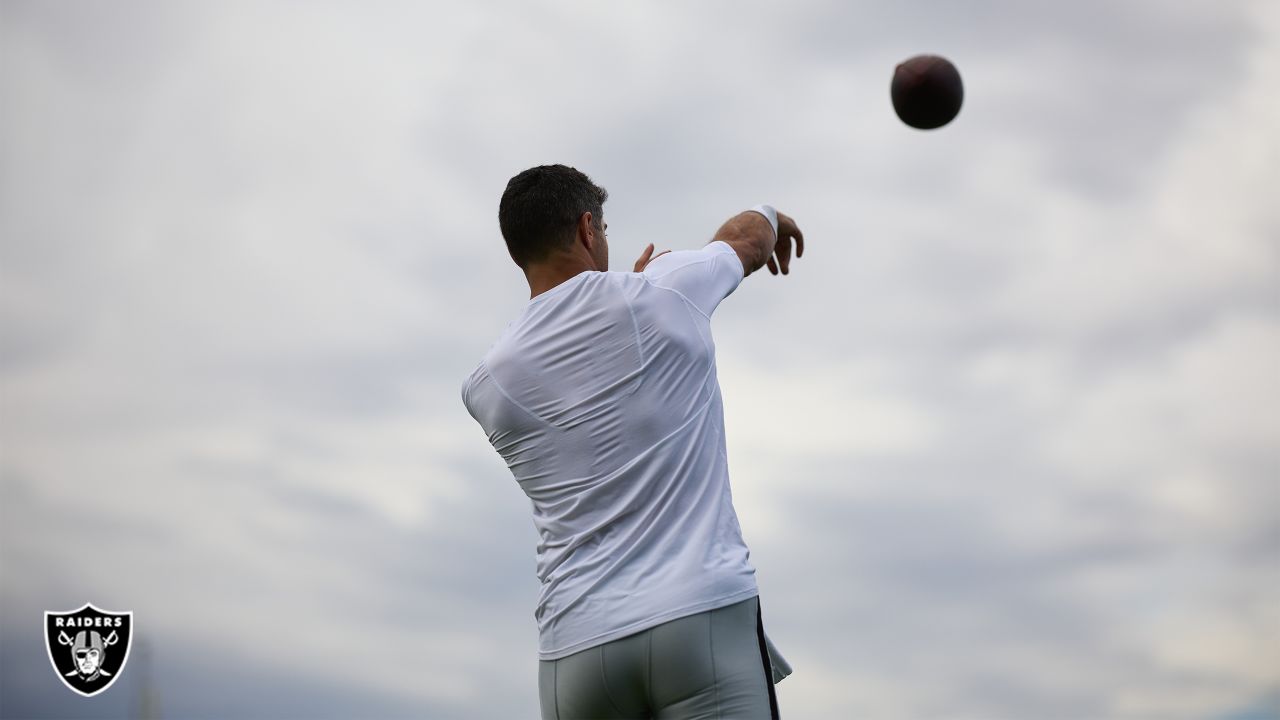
[(1005, 445)]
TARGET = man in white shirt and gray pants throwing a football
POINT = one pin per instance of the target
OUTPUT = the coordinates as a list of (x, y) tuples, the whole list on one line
[(602, 398)]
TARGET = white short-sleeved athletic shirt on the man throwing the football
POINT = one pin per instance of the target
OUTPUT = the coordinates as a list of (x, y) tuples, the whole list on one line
[(602, 398)]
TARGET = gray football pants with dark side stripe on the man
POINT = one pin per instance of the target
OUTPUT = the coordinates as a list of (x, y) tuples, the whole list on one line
[(714, 664)]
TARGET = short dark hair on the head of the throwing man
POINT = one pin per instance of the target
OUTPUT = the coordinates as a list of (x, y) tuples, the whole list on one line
[(541, 208)]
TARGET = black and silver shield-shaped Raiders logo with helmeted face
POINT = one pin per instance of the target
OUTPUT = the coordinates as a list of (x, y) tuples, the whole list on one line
[(89, 648)]
